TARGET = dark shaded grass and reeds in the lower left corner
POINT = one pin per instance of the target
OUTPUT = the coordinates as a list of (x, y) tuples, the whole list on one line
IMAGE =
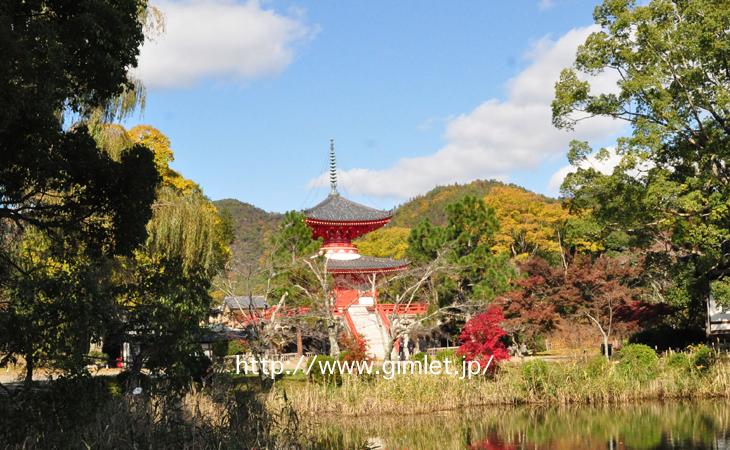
[(96, 413)]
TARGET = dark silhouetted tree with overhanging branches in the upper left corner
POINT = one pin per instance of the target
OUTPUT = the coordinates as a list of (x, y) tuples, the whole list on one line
[(69, 58)]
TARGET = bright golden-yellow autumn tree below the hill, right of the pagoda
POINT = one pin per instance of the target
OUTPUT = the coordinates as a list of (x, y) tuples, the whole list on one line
[(528, 222)]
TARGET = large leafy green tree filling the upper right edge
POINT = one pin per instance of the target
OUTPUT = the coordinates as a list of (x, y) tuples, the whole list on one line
[(670, 192)]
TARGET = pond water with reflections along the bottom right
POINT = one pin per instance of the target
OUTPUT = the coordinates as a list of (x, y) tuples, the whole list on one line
[(677, 425)]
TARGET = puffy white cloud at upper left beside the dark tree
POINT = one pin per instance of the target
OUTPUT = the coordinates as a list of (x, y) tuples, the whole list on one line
[(219, 39)]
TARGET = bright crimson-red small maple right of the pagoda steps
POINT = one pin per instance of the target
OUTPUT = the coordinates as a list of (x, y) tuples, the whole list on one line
[(481, 338)]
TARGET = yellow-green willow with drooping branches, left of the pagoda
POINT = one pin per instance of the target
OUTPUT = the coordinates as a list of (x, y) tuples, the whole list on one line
[(163, 288)]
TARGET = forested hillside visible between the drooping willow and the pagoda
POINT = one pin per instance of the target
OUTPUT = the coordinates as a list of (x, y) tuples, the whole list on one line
[(250, 227)]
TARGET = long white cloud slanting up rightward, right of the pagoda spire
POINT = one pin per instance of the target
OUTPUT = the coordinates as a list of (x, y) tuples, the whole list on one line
[(498, 137)]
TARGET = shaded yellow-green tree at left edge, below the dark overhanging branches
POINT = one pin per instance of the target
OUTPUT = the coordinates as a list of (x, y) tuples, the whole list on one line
[(58, 296)]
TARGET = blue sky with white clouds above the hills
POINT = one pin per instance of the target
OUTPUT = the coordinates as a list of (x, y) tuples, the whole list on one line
[(415, 94)]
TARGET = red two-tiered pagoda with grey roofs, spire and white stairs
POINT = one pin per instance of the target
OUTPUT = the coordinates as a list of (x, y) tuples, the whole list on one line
[(338, 221)]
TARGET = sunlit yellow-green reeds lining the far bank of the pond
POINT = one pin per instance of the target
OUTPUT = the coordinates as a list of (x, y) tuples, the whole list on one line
[(588, 381)]
